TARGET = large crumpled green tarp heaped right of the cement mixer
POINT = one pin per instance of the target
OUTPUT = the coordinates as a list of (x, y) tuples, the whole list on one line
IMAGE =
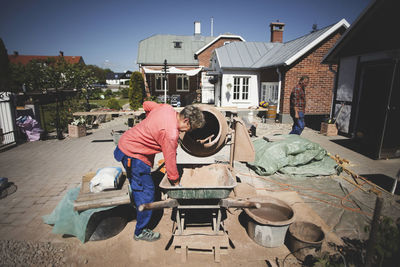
[(294, 156)]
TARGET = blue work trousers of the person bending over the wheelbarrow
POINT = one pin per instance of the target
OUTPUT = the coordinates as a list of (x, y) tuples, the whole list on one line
[(142, 187)]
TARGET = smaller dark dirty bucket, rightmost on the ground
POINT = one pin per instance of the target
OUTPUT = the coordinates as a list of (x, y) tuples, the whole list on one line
[(304, 239)]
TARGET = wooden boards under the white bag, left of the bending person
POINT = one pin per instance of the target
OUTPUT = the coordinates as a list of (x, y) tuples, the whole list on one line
[(88, 200)]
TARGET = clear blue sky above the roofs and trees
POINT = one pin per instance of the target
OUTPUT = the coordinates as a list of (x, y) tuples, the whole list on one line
[(107, 33)]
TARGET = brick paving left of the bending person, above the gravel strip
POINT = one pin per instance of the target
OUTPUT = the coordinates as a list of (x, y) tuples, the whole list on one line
[(43, 171)]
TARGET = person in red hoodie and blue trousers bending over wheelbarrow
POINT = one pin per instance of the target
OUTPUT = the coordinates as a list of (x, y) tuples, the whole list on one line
[(158, 132)]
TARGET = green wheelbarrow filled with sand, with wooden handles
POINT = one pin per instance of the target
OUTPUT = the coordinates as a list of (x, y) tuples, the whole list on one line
[(199, 203)]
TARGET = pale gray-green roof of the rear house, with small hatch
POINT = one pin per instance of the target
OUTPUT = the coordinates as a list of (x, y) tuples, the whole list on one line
[(155, 49)]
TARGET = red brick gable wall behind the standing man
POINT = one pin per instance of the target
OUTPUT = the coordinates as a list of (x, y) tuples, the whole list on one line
[(319, 90)]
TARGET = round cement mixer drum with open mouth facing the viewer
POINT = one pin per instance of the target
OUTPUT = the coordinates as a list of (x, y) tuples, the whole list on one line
[(208, 140)]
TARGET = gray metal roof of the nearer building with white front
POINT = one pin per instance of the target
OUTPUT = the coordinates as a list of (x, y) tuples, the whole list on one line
[(254, 55)]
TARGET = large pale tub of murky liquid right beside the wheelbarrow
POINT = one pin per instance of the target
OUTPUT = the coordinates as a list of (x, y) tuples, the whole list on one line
[(268, 225)]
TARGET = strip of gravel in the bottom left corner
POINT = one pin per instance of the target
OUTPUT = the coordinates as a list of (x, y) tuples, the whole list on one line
[(27, 253)]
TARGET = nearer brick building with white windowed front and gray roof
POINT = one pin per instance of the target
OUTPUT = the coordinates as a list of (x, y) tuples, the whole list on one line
[(269, 71)]
